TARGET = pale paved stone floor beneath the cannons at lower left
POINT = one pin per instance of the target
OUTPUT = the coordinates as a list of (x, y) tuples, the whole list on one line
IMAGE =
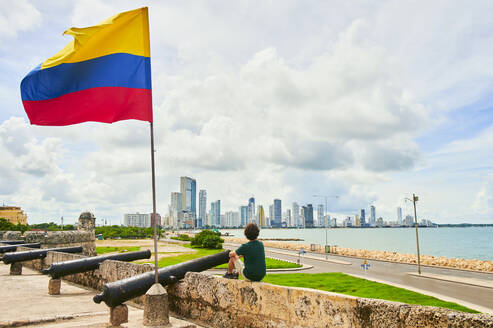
[(25, 303)]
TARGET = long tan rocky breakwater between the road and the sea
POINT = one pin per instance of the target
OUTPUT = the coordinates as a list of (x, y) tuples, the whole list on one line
[(457, 263)]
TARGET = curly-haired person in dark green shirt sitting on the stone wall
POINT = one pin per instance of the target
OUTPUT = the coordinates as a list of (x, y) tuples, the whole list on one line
[(254, 255)]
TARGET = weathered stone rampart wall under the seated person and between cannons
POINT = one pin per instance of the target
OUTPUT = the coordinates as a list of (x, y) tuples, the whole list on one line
[(217, 302)]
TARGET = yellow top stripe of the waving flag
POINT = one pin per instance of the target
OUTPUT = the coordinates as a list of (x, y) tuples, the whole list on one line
[(127, 32)]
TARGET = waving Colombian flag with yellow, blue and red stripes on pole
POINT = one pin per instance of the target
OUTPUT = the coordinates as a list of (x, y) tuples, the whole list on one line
[(103, 75)]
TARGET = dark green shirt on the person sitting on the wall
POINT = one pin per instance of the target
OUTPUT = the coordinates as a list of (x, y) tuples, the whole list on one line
[(254, 255)]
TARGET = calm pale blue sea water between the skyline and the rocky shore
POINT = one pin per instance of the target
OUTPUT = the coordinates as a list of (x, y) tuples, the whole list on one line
[(468, 243)]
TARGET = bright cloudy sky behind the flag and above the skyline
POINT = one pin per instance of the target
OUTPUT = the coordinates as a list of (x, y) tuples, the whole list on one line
[(371, 101)]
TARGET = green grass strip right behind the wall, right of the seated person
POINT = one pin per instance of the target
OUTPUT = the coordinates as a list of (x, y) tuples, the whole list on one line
[(345, 284)]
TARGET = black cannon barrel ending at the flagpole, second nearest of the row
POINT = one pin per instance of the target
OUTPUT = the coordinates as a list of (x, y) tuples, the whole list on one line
[(60, 269)]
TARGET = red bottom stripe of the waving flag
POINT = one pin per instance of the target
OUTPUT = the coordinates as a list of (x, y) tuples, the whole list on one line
[(105, 104)]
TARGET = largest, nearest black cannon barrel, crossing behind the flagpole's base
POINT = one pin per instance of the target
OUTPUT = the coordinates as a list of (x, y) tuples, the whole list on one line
[(115, 293)]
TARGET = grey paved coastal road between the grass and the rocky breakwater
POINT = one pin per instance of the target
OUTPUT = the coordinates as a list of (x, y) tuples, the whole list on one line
[(479, 298)]
